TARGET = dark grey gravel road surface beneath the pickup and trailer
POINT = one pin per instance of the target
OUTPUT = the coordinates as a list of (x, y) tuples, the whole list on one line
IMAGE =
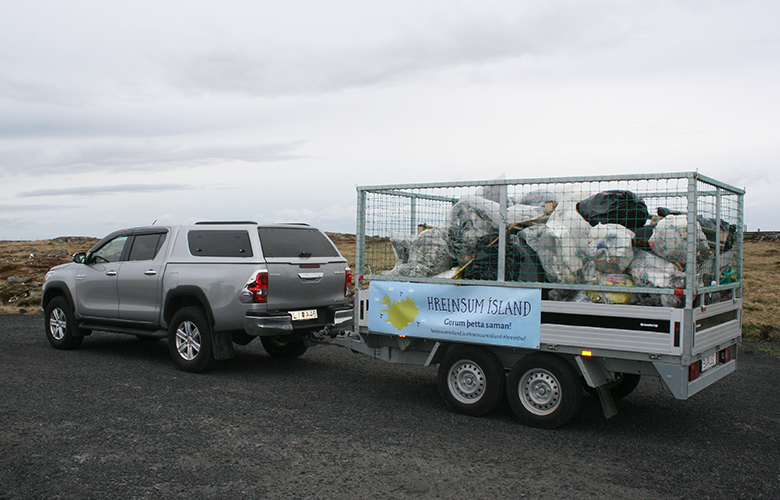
[(115, 419)]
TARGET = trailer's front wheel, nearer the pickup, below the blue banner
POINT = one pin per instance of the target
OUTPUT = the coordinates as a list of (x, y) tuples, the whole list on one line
[(471, 380)]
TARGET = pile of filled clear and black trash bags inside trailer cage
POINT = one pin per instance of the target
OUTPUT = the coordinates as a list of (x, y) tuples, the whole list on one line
[(606, 239)]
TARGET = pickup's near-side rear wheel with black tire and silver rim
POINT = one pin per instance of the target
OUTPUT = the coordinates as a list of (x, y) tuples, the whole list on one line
[(189, 340)]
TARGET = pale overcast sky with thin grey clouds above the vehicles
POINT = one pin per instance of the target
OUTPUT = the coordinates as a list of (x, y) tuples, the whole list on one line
[(117, 114)]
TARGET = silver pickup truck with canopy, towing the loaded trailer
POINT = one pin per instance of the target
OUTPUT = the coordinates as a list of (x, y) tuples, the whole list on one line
[(202, 287)]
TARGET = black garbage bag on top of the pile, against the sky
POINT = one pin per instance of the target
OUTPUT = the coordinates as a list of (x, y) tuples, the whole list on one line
[(614, 207)]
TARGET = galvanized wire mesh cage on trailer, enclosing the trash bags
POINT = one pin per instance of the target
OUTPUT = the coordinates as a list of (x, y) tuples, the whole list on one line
[(658, 239)]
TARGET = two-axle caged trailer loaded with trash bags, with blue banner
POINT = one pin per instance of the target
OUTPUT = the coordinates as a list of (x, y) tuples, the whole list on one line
[(539, 290)]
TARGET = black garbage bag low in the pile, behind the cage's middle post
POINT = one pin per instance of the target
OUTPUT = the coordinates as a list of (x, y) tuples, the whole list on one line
[(522, 263)]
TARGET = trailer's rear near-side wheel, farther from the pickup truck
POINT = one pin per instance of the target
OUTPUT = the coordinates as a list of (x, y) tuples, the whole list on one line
[(544, 391)]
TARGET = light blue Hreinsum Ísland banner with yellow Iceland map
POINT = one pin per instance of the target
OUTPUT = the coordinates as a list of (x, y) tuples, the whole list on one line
[(477, 314)]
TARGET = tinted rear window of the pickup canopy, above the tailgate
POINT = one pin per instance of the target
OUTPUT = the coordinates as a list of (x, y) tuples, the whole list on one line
[(295, 242)]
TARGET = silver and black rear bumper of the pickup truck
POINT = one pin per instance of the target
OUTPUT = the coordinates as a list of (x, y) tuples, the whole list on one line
[(271, 325)]
